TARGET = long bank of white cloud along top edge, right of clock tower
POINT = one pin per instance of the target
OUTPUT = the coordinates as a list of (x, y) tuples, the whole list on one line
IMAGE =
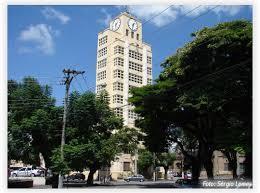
[(176, 11)]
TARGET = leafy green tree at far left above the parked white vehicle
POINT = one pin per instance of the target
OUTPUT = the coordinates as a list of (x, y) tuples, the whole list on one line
[(32, 121)]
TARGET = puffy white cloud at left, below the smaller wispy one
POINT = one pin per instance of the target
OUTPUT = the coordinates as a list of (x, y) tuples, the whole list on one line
[(38, 37)]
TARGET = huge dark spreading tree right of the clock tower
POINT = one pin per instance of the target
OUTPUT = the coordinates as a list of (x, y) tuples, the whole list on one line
[(202, 87)]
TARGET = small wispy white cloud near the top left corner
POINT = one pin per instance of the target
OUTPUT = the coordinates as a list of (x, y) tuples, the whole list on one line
[(51, 13)]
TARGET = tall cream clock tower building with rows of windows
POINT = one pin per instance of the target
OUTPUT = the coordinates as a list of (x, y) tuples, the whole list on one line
[(124, 61)]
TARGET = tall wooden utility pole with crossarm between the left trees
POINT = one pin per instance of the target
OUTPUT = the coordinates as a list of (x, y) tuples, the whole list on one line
[(68, 76)]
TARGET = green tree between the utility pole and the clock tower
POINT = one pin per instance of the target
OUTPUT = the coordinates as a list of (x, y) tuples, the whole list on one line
[(89, 140)]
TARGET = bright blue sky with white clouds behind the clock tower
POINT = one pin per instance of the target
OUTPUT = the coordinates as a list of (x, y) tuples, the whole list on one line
[(43, 40)]
